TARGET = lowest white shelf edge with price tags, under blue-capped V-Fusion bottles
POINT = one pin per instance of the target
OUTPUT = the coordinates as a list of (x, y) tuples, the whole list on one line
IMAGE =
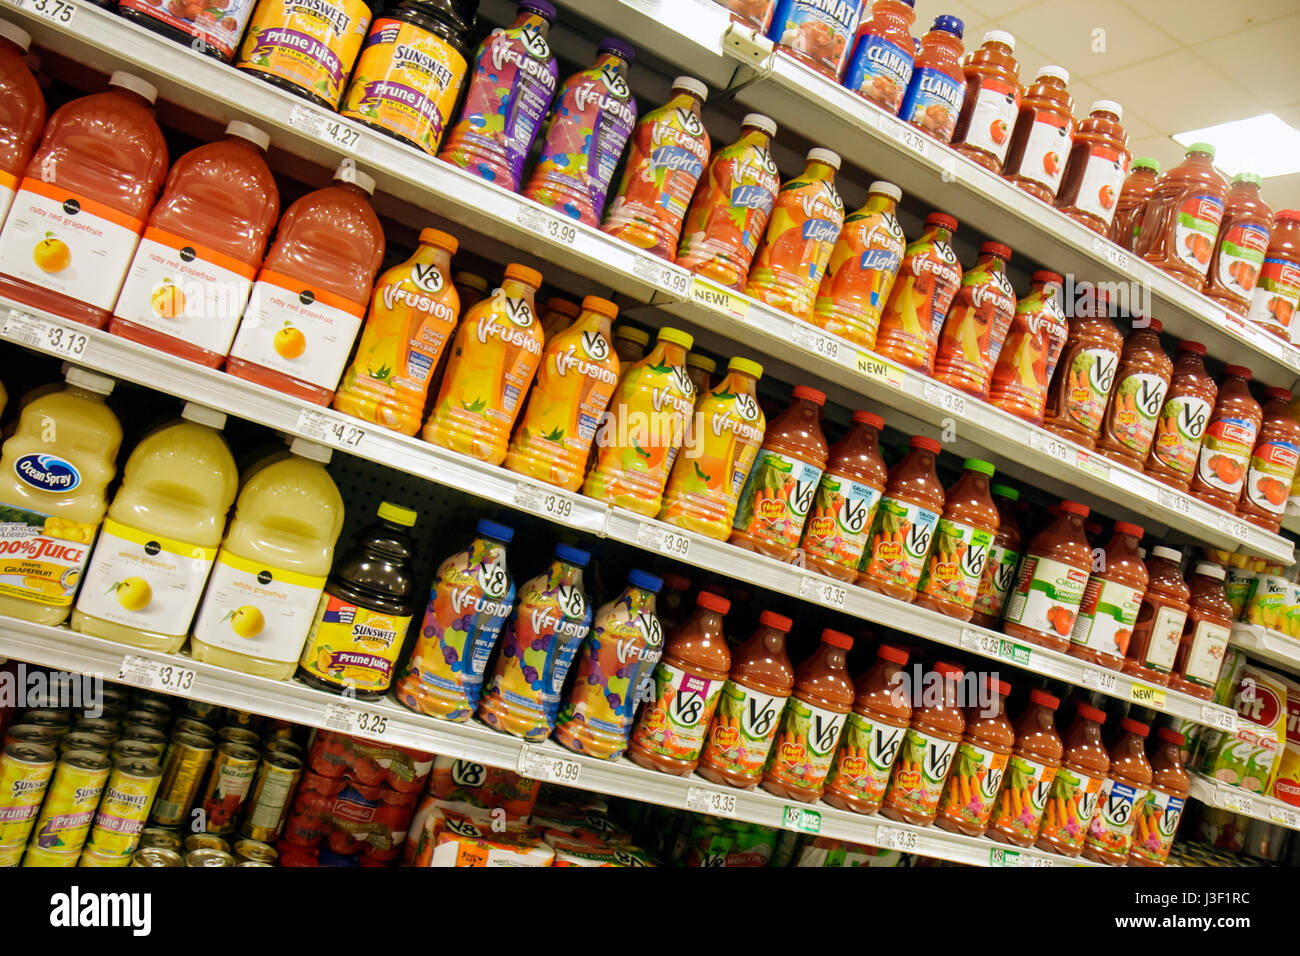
[(391, 723)]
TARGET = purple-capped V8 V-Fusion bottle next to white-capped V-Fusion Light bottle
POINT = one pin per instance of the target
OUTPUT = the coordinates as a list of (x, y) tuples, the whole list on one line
[(593, 118)]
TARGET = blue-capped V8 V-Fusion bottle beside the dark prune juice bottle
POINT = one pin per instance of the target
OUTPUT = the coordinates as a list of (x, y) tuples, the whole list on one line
[(471, 599)]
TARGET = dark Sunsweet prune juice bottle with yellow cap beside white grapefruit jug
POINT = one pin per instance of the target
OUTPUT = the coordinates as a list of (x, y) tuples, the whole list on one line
[(366, 612)]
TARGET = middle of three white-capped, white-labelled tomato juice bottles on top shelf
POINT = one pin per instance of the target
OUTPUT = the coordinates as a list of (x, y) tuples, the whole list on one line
[(1043, 137)]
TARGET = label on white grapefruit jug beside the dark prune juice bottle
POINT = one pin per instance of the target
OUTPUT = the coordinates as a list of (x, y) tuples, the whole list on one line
[(257, 611)]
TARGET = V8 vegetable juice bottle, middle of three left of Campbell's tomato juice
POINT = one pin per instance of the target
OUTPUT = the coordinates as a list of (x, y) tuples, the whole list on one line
[(1142, 383)]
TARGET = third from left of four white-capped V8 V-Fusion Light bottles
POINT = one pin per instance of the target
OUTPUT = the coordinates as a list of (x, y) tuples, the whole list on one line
[(801, 233)]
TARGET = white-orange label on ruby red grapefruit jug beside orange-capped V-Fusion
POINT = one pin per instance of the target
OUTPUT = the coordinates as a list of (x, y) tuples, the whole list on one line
[(297, 331)]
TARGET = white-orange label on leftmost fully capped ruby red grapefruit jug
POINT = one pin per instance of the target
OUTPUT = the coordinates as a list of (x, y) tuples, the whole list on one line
[(71, 245)]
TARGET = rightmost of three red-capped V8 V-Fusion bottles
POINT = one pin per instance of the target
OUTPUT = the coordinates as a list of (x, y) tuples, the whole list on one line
[(1034, 345)]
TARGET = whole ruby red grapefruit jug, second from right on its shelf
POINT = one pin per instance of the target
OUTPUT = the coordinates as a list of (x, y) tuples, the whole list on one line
[(193, 271)]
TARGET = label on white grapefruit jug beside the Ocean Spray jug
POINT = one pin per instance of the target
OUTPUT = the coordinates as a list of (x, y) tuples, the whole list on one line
[(145, 581)]
